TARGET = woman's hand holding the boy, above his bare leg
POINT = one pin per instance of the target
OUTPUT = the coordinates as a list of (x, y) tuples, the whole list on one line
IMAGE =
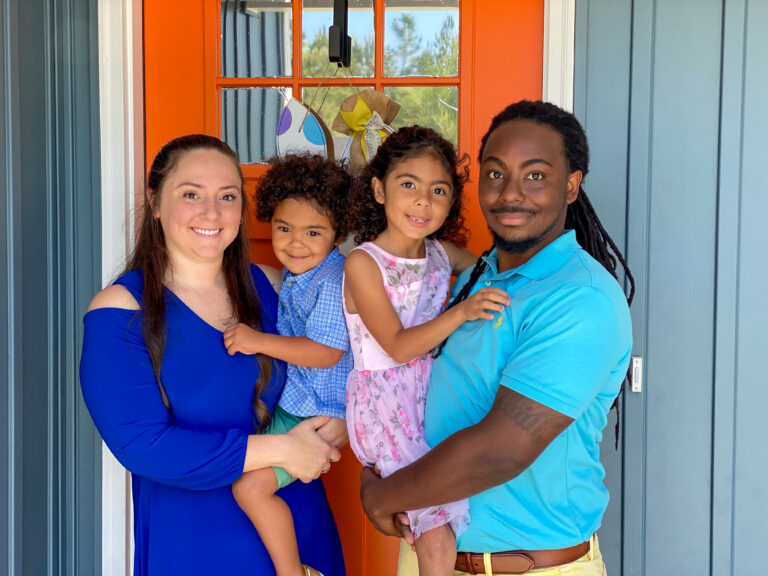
[(307, 455)]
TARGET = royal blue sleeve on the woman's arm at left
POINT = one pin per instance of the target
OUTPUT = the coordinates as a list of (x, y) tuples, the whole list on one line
[(121, 393)]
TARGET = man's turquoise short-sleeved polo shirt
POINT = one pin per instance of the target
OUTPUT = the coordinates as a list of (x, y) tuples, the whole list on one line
[(565, 342)]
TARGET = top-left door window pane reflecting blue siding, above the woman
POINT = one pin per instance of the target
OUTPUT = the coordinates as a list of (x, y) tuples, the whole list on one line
[(256, 38)]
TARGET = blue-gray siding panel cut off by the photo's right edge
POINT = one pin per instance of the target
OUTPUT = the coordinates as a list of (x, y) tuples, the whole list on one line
[(750, 511)]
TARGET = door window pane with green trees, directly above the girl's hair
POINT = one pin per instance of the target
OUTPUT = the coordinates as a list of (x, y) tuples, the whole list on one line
[(436, 107)]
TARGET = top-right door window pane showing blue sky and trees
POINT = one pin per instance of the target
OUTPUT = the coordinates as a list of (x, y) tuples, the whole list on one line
[(421, 38)]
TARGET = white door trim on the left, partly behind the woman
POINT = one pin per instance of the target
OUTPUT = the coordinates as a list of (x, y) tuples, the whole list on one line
[(122, 177)]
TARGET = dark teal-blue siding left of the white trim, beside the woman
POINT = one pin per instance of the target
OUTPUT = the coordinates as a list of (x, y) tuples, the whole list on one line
[(49, 269)]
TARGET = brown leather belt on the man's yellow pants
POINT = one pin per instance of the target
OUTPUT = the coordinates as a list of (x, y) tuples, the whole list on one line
[(520, 561)]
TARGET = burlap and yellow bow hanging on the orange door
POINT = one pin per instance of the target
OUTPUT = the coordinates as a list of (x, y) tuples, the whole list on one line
[(365, 117)]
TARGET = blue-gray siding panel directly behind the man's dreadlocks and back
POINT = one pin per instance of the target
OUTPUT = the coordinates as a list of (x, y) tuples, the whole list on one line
[(601, 87)]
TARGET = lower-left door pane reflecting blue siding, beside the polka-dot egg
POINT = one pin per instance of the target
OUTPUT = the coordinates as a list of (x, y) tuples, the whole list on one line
[(249, 118)]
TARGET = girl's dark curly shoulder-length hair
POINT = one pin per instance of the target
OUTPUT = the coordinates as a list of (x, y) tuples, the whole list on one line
[(368, 216)]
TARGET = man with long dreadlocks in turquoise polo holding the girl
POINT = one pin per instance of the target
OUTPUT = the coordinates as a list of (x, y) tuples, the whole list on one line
[(517, 405)]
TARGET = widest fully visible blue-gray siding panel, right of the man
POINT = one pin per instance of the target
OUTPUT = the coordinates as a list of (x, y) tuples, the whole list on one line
[(684, 121)]
